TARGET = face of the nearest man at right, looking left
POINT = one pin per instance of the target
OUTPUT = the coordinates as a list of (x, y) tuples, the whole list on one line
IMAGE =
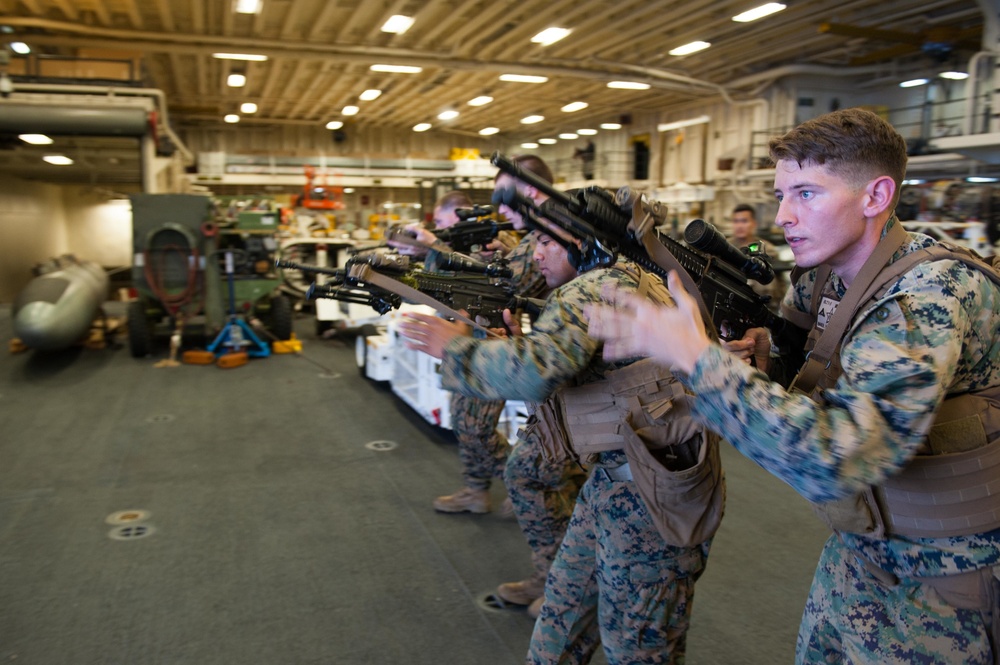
[(822, 217)]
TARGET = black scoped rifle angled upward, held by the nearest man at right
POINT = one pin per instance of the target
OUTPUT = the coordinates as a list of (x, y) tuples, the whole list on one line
[(607, 225)]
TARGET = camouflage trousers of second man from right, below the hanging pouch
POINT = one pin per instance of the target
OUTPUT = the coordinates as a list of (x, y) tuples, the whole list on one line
[(616, 583)]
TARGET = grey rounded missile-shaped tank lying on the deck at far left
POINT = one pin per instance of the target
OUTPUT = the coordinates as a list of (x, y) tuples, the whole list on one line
[(57, 308)]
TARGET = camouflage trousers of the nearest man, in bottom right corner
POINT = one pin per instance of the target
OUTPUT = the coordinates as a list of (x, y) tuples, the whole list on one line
[(852, 618)]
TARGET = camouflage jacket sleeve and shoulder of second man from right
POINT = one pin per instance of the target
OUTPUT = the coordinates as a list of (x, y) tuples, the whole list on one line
[(531, 367)]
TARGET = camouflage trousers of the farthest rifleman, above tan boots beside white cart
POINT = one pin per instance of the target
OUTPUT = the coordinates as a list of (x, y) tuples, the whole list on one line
[(481, 448)]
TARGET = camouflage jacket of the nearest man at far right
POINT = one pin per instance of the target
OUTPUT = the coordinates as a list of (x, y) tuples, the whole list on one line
[(934, 333)]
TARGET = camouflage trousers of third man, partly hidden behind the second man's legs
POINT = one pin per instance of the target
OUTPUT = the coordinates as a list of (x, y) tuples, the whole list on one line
[(542, 493)]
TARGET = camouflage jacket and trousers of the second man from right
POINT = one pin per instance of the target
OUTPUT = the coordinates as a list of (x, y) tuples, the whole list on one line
[(611, 550)]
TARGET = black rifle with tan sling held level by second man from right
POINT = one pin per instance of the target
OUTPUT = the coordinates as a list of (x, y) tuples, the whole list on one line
[(385, 281)]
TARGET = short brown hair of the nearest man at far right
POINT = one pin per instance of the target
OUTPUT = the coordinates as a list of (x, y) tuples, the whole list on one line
[(853, 143)]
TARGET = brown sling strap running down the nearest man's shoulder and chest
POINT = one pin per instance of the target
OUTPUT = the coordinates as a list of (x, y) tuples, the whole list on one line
[(856, 295)]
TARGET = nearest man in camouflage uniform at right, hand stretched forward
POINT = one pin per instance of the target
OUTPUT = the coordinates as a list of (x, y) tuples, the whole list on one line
[(934, 334)]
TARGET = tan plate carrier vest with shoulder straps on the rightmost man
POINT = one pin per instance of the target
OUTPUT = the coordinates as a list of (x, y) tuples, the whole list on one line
[(952, 488)]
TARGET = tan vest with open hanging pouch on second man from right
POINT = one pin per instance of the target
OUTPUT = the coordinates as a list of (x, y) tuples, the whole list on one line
[(644, 410)]
